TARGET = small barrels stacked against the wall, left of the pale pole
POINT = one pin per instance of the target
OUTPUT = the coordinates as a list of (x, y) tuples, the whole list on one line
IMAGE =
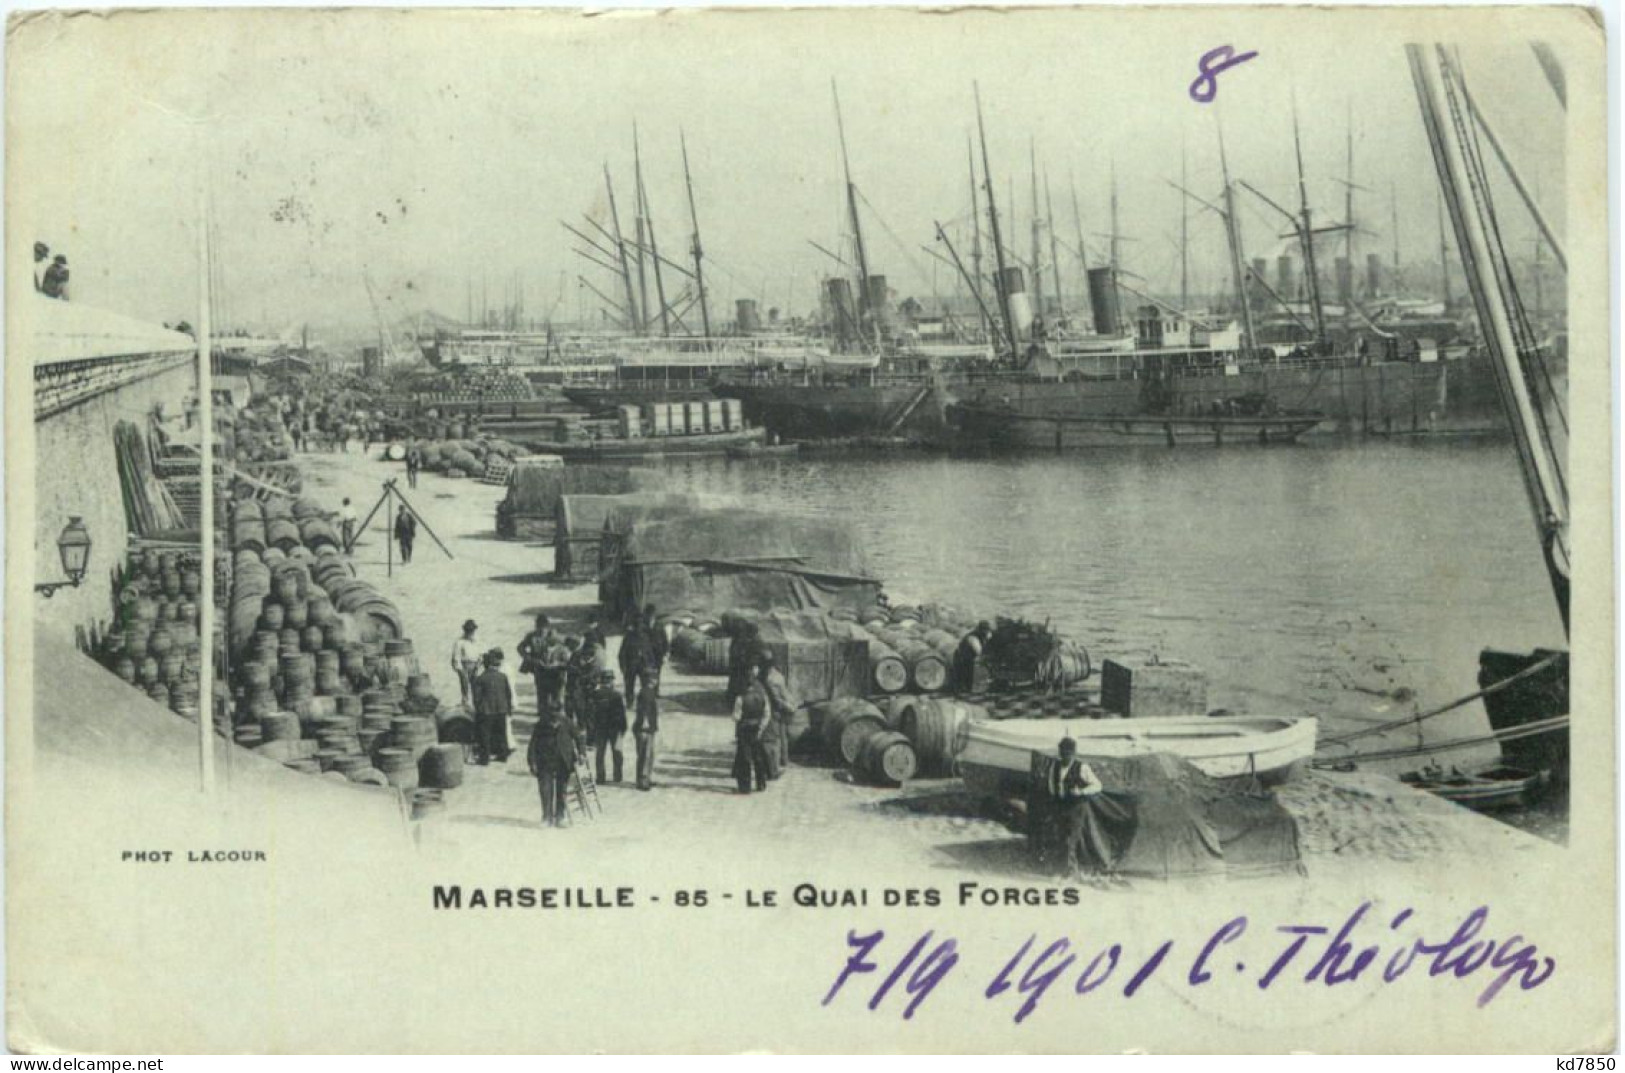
[(155, 641)]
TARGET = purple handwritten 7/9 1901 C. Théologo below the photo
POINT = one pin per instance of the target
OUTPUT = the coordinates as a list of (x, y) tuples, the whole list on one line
[(1325, 957)]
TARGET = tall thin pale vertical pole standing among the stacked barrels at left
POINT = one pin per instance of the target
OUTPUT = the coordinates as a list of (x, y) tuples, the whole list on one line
[(207, 495)]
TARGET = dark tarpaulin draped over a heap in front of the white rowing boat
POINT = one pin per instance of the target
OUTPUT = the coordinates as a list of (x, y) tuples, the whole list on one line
[(1159, 817)]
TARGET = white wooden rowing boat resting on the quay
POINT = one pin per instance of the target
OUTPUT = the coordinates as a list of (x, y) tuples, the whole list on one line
[(997, 757)]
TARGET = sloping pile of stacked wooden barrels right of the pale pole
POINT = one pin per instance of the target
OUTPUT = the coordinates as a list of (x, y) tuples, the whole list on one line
[(323, 677)]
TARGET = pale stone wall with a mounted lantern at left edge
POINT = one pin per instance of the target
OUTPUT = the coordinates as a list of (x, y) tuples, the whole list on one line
[(77, 472)]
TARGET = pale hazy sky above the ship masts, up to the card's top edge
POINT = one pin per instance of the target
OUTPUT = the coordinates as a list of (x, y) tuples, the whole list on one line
[(425, 155)]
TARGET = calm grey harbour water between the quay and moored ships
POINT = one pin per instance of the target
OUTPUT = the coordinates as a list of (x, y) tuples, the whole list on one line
[(1351, 581)]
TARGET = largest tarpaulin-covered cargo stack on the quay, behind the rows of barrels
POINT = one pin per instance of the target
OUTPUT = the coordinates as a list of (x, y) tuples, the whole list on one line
[(724, 560)]
